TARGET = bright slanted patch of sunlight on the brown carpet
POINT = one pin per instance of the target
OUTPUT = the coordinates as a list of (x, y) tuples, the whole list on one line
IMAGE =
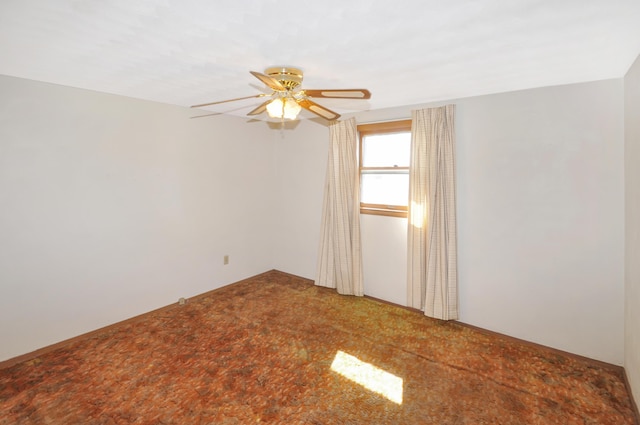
[(372, 378)]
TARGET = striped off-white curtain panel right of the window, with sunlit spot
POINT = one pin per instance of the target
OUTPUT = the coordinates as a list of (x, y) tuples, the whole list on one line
[(432, 280)]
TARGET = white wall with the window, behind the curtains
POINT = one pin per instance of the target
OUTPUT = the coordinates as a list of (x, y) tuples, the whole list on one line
[(541, 216)]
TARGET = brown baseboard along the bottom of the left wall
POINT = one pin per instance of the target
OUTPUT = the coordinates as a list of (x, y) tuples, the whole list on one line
[(49, 348)]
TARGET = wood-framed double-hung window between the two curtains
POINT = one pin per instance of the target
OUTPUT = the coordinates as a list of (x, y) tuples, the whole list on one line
[(385, 149)]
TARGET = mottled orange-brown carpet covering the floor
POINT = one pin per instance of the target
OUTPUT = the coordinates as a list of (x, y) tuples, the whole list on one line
[(262, 350)]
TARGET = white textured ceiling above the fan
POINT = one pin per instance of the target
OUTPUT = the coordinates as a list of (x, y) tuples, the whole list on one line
[(406, 52)]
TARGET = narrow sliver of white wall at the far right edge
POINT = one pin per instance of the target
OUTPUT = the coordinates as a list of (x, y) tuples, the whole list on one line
[(632, 227)]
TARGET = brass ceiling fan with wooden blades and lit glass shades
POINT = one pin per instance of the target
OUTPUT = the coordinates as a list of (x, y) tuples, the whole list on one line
[(286, 99)]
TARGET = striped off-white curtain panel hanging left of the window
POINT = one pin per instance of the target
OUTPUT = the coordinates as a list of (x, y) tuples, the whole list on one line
[(340, 256)]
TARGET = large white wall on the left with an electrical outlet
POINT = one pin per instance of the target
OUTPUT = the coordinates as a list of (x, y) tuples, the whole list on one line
[(111, 207)]
